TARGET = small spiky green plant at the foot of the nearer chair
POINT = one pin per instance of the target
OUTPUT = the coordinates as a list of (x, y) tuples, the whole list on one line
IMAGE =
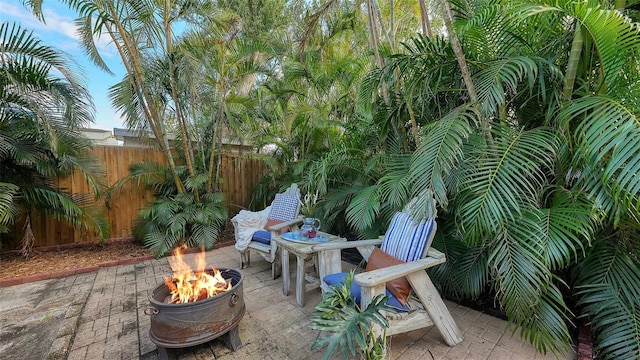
[(345, 325)]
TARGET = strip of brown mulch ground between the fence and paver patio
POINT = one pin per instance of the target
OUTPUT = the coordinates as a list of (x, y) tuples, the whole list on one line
[(12, 264)]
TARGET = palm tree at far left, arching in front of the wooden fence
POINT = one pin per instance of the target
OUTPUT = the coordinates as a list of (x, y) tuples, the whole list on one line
[(42, 105)]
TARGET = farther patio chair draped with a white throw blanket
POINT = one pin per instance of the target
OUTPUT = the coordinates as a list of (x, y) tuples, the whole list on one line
[(254, 230)]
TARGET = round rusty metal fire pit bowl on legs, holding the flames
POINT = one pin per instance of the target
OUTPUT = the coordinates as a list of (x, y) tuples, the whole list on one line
[(194, 323)]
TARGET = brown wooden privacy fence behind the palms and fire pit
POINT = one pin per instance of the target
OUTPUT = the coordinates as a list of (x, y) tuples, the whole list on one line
[(239, 176)]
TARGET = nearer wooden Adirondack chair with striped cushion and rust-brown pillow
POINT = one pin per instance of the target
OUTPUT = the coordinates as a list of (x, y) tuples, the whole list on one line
[(399, 263)]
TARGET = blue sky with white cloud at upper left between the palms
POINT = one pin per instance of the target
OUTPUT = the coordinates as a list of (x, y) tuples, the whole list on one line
[(59, 32)]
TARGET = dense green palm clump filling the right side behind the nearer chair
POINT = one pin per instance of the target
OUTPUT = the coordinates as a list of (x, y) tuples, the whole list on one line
[(537, 194)]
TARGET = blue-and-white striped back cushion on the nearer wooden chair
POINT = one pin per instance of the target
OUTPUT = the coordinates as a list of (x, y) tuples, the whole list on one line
[(406, 240)]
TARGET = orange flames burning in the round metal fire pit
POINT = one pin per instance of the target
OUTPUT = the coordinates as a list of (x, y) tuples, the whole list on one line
[(189, 286)]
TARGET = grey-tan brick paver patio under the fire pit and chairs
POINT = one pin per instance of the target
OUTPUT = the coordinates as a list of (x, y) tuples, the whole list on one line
[(108, 306)]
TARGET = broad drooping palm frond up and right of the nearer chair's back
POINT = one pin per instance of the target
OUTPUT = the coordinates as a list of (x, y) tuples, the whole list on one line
[(506, 180)]
